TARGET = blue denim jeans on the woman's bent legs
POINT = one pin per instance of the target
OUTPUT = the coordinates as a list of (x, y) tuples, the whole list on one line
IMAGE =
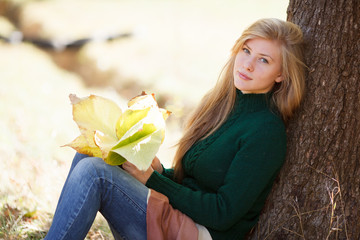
[(92, 186)]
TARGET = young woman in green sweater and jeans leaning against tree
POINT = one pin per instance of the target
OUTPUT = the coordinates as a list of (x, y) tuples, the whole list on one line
[(233, 147)]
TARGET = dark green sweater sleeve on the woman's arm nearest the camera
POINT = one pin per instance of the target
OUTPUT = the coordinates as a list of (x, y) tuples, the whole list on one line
[(246, 184)]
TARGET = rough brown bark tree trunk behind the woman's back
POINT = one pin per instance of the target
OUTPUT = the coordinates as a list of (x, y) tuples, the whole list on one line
[(317, 195)]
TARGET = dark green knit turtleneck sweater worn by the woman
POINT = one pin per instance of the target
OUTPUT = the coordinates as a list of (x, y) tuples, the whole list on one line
[(229, 174)]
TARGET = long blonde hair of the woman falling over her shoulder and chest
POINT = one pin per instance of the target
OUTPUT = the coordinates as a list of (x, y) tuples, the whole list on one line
[(217, 104)]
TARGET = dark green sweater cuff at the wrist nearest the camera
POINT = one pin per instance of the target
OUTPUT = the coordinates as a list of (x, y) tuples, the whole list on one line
[(162, 184)]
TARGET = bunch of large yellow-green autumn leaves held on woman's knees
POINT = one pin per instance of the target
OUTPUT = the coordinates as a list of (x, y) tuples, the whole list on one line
[(116, 136)]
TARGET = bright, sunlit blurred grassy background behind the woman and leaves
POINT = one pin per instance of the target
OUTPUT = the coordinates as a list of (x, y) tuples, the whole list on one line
[(112, 48)]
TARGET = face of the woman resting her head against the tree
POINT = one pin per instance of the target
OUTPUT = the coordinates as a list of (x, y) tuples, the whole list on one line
[(257, 66)]
